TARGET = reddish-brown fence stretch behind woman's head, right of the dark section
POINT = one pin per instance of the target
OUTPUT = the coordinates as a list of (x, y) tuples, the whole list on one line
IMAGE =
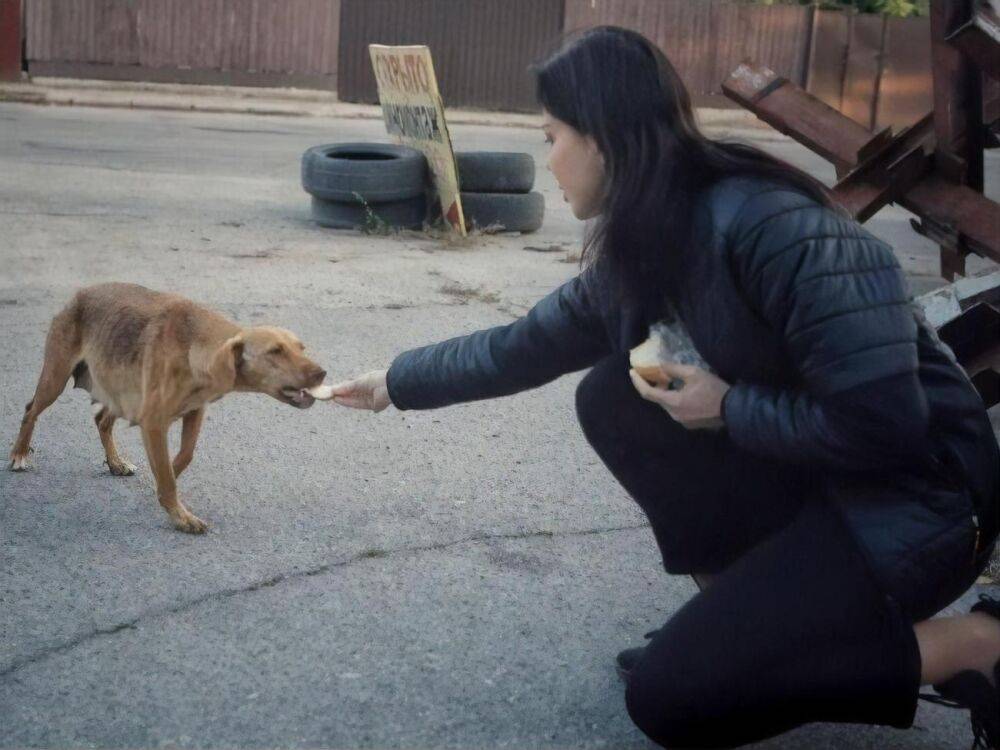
[(875, 69)]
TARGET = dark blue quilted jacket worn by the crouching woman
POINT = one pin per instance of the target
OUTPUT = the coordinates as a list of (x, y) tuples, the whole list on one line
[(807, 315)]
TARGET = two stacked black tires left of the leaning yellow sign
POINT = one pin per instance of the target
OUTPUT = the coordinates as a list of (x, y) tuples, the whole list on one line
[(366, 185)]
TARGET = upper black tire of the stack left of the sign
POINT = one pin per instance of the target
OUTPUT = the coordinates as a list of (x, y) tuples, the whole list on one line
[(377, 172)]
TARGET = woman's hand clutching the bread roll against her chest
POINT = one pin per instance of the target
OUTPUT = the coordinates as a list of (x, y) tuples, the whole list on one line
[(696, 404)]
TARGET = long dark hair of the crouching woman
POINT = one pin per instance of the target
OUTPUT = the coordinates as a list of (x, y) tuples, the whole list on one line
[(618, 87)]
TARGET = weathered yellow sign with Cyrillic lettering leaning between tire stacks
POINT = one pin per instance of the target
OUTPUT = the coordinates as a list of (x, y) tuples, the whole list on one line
[(414, 113)]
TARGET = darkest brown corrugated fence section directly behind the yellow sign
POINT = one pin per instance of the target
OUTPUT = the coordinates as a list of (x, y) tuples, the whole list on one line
[(481, 49)]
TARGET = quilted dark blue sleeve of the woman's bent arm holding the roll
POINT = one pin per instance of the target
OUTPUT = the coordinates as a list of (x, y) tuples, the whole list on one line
[(839, 300)]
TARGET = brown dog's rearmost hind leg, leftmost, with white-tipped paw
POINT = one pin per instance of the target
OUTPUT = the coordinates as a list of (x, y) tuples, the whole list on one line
[(62, 351)]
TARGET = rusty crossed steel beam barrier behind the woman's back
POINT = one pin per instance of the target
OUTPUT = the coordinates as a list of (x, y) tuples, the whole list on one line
[(934, 168)]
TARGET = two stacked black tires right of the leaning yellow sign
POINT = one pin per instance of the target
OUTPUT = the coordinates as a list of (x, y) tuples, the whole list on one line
[(496, 191)]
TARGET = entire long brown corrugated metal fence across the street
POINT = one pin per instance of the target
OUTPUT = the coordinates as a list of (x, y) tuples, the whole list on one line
[(875, 69)]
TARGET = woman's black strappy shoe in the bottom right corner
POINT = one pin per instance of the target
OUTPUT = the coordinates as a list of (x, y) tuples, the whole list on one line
[(973, 691)]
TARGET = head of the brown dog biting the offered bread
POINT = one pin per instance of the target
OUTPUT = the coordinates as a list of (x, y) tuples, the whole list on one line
[(271, 360)]
